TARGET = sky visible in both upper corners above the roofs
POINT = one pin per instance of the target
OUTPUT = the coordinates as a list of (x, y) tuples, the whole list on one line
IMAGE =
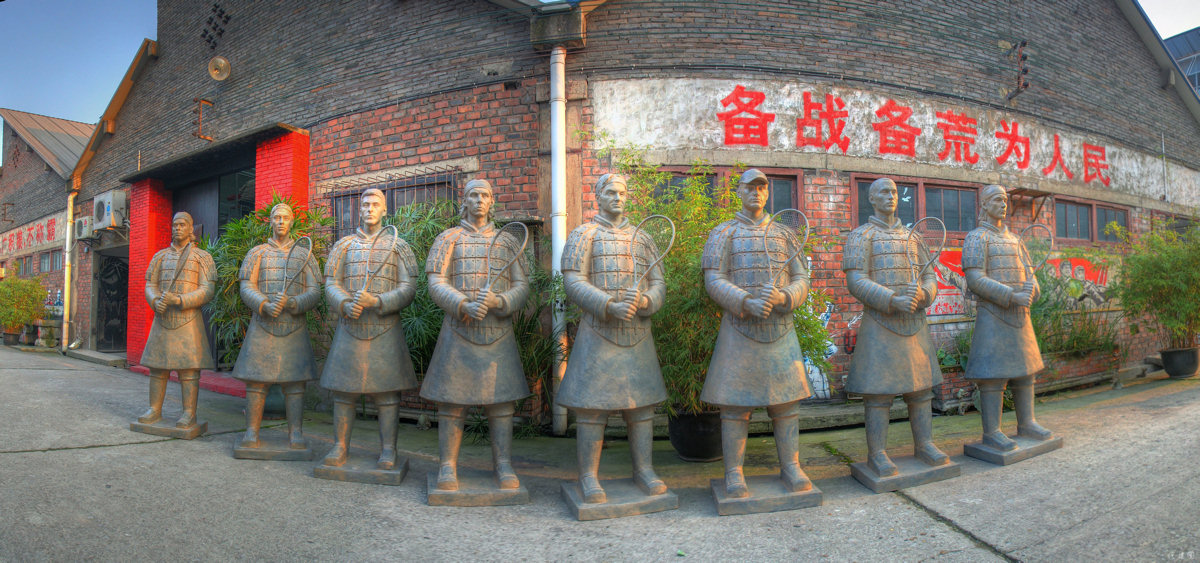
[(64, 58)]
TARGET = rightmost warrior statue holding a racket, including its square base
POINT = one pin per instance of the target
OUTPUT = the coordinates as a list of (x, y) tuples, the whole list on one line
[(1004, 348)]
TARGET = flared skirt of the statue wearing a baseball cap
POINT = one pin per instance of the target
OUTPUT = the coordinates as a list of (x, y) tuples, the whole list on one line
[(746, 373)]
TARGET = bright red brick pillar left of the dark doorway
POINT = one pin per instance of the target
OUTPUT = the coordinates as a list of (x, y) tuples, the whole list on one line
[(151, 207)]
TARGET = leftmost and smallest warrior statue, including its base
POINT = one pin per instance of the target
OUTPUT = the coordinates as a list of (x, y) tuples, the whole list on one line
[(181, 280)]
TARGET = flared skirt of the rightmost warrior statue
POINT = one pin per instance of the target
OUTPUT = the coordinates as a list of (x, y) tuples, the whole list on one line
[(999, 351)]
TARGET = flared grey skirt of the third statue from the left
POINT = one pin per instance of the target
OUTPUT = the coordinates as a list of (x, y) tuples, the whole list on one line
[(377, 366)]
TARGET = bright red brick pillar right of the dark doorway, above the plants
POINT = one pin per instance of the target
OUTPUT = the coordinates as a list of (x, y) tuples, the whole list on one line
[(281, 166)]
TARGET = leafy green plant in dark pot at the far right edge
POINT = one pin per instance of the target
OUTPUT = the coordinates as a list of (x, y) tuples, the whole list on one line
[(1161, 279)]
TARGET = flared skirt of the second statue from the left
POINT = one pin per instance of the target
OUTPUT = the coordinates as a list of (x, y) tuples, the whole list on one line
[(267, 358)]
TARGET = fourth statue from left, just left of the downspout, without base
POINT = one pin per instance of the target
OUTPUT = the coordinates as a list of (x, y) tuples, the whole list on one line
[(476, 361)]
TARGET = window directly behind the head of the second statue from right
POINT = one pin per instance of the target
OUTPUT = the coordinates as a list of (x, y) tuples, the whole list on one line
[(957, 206)]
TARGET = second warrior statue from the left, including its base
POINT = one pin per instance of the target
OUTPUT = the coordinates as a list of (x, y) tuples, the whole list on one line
[(280, 283)]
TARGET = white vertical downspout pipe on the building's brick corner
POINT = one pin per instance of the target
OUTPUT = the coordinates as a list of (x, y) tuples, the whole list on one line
[(559, 211)]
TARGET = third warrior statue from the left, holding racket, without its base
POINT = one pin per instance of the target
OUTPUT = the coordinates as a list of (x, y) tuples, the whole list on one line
[(369, 281)]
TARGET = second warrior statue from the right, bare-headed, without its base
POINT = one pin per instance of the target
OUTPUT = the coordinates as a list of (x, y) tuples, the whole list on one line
[(896, 354)]
